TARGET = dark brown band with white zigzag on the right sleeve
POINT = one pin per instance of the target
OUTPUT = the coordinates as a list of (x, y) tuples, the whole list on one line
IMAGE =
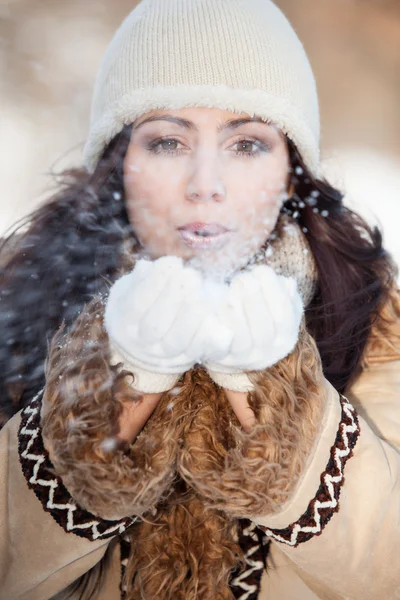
[(326, 501)]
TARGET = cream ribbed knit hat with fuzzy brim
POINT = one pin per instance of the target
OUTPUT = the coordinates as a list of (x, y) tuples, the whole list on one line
[(238, 55)]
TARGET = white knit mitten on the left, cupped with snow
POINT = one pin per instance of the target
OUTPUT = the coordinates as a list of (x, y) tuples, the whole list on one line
[(154, 318)]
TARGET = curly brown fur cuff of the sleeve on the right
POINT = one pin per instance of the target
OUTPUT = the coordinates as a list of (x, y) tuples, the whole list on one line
[(259, 471)]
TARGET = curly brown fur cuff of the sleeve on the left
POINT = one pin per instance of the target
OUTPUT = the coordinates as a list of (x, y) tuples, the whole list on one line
[(80, 419)]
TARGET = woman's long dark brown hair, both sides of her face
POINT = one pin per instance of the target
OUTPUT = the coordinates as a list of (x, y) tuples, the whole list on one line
[(69, 249)]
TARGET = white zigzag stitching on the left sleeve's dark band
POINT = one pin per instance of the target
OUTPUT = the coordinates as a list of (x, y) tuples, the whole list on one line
[(52, 484)]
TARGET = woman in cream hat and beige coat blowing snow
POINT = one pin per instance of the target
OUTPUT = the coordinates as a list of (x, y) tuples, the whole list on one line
[(200, 342)]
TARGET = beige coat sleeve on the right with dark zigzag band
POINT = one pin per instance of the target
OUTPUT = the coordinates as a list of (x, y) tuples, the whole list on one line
[(340, 529)]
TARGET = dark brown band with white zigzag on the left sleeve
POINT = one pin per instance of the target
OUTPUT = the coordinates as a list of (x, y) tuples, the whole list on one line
[(55, 498)]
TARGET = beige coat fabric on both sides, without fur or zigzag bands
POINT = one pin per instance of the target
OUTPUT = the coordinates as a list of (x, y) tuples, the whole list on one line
[(353, 552)]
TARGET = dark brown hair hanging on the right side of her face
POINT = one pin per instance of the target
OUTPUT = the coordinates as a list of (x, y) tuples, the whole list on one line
[(355, 272)]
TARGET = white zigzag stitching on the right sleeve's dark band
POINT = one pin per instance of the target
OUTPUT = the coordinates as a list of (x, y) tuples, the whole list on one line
[(329, 481)]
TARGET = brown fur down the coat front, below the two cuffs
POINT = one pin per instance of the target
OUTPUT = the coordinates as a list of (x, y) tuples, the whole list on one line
[(185, 552)]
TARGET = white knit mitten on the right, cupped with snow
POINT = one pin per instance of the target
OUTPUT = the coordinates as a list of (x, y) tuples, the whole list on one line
[(263, 310)]
